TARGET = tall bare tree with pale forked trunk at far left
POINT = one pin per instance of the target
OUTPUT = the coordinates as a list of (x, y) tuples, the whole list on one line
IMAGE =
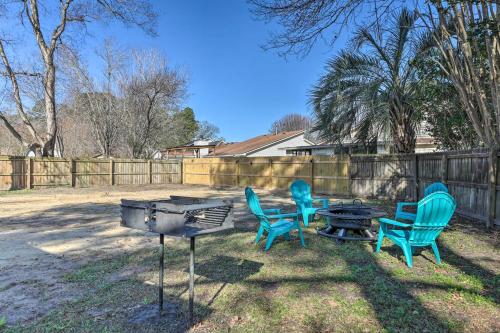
[(48, 40)]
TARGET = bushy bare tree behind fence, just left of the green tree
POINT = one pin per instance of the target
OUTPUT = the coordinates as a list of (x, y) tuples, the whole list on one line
[(150, 92)]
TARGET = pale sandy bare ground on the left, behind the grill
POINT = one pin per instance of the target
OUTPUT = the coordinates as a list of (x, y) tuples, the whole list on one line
[(45, 234)]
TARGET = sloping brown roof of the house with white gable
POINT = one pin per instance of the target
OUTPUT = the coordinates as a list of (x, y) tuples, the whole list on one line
[(253, 144)]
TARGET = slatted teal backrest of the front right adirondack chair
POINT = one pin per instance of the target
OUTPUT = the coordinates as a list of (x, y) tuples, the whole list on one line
[(433, 215)]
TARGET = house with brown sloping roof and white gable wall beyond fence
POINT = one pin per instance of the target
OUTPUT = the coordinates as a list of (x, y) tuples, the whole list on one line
[(263, 145)]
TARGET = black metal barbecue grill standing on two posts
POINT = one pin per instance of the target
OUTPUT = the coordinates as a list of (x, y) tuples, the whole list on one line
[(181, 218)]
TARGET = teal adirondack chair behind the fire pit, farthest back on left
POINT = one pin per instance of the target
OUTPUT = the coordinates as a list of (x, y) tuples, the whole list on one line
[(301, 194)]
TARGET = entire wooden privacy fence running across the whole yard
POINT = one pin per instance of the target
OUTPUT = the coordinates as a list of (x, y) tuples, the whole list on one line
[(472, 177)]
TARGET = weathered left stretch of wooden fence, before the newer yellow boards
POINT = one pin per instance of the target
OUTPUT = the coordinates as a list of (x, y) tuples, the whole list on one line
[(21, 172)]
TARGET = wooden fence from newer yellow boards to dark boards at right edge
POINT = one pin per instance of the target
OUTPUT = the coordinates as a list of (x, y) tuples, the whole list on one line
[(472, 177)]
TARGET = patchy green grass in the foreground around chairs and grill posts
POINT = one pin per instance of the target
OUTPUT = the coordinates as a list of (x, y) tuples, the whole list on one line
[(323, 287)]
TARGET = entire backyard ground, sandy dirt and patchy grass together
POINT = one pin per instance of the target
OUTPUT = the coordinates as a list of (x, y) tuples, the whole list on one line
[(68, 266)]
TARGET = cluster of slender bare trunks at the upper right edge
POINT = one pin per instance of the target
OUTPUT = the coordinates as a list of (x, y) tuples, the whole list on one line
[(467, 35)]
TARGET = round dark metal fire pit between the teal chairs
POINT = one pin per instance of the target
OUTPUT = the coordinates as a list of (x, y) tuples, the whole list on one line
[(349, 221)]
